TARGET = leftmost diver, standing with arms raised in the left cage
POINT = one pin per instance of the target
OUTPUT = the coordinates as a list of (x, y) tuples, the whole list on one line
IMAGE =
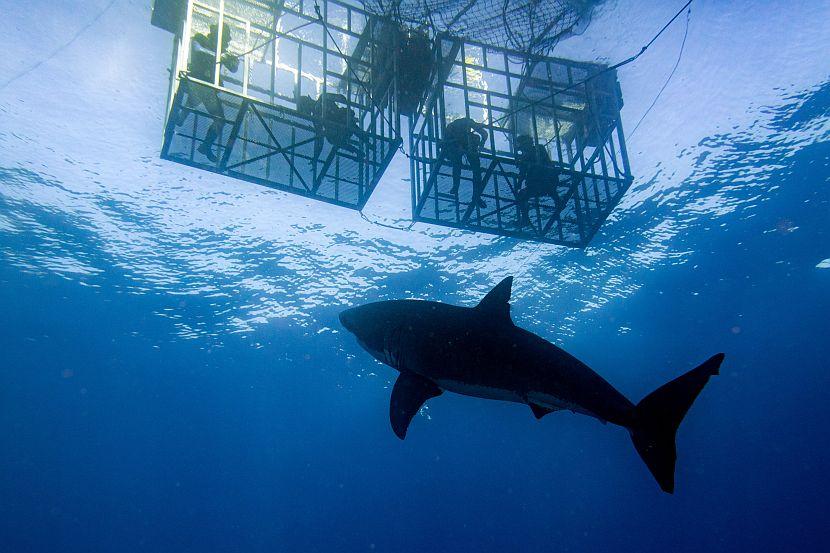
[(203, 66)]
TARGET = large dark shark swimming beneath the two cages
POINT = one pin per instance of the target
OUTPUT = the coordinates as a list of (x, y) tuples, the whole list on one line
[(478, 351)]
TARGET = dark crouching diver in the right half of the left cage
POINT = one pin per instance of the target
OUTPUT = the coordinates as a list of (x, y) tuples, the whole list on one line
[(335, 123)]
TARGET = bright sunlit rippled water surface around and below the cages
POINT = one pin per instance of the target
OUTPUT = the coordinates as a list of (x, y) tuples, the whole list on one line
[(82, 182)]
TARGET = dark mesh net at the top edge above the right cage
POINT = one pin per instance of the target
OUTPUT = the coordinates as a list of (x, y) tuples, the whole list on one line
[(533, 26)]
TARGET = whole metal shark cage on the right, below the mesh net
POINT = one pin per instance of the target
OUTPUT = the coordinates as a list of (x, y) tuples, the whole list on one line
[(571, 109)]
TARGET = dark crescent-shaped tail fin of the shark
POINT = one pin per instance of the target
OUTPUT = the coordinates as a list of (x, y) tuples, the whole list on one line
[(658, 415)]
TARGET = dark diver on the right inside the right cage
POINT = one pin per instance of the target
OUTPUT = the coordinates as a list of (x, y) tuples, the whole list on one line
[(536, 172)]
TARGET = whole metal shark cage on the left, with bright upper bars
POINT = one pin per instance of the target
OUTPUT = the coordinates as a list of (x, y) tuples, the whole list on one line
[(268, 118)]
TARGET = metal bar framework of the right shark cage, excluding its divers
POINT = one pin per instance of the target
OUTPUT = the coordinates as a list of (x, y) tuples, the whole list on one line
[(587, 167)]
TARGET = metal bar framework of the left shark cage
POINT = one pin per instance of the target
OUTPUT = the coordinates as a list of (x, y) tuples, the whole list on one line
[(379, 135)]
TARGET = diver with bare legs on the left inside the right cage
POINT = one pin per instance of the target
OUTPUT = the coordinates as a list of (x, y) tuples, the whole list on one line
[(463, 139)]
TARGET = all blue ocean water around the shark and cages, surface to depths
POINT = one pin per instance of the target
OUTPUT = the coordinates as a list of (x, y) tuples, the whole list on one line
[(173, 377)]
